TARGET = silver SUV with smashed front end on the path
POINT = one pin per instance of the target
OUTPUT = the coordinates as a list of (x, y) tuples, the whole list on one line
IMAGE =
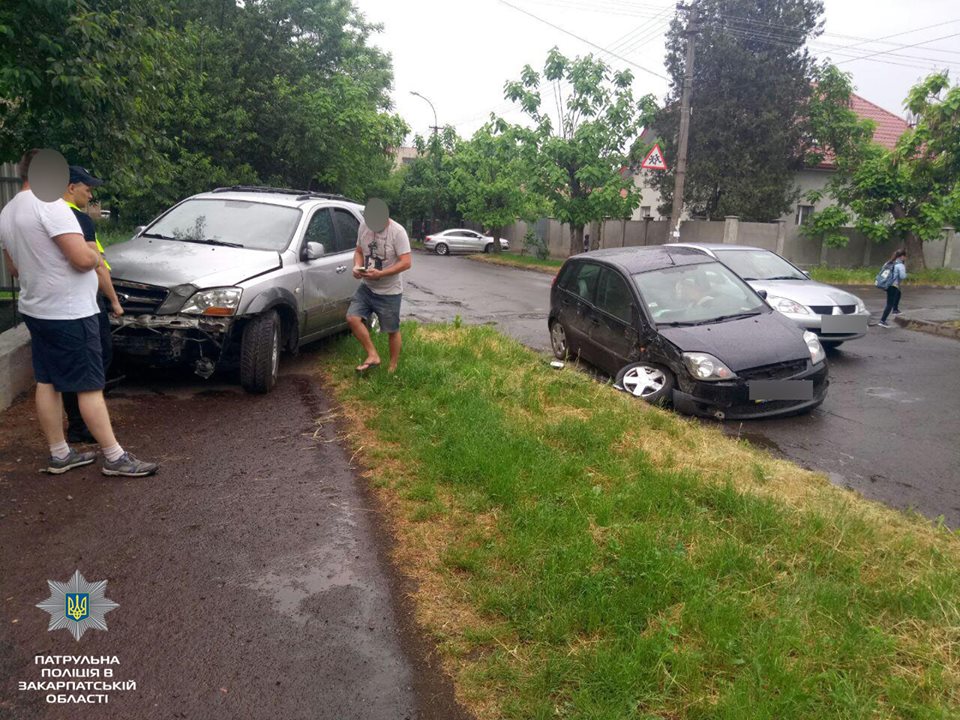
[(231, 278)]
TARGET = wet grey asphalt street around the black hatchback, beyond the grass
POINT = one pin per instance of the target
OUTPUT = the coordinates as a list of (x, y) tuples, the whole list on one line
[(889, 428)]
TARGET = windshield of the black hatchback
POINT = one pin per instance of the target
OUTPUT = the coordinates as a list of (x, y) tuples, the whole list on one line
[(697, 294)]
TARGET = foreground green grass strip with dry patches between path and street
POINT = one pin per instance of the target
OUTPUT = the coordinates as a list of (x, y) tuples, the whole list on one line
[(580, 555)]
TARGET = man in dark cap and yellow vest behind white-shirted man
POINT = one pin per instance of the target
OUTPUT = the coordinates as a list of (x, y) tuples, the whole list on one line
[(78, 195)]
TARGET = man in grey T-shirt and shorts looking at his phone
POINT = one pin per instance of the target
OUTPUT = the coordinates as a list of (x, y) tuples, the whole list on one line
[(383, 252)]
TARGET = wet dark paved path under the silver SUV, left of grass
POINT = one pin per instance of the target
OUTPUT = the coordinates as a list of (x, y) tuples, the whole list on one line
[(250, 572)]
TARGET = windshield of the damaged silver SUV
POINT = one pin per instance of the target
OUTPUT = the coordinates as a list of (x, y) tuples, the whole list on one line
[(243, 223)]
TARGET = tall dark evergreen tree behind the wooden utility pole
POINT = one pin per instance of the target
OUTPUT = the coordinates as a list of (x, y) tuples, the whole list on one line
[(751, 82)]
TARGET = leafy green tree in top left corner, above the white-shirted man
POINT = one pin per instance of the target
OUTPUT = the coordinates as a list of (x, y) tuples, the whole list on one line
[(90, 79)]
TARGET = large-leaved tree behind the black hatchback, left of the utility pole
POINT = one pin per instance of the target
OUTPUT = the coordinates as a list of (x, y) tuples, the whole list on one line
[(578, 166)]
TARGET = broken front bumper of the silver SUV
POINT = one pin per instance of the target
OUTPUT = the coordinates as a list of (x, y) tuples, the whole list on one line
[(170, 340)]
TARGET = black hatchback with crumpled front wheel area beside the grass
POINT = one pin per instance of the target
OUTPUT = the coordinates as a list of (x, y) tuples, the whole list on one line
[(674, 325)]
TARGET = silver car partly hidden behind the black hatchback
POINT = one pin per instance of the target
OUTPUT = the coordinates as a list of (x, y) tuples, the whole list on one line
[(813, 305)]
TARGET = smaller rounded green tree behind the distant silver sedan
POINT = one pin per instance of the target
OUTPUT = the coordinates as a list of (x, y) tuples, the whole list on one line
[(489, 179)]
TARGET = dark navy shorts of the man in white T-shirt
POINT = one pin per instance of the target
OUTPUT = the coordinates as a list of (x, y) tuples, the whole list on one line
[(67, 353)]
